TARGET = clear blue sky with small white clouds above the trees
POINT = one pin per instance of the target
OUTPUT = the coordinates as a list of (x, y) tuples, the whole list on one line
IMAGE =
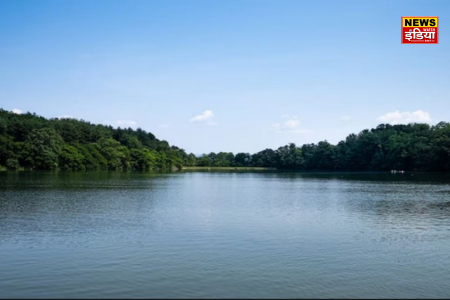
[(237, 76)]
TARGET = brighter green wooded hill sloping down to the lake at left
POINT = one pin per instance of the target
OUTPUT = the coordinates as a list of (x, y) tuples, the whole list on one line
[(33, 142)]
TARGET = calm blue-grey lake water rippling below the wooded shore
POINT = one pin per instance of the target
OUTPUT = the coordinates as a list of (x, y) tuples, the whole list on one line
[(224, 235)]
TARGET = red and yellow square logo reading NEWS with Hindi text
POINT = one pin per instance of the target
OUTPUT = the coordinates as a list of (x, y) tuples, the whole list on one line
[(419, 30)]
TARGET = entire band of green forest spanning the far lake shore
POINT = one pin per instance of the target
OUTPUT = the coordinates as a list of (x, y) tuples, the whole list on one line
[(29, 141)]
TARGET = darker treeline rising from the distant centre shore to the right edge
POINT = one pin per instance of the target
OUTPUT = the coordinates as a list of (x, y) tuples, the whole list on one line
[(412, 147)]
